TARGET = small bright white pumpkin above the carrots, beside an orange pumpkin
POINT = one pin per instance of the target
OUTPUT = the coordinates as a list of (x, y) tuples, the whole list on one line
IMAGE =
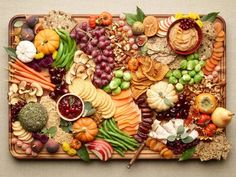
[(25, 51)]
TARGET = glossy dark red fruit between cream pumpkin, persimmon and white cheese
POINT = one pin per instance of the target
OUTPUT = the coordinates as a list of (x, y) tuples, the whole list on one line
[(180, 110)]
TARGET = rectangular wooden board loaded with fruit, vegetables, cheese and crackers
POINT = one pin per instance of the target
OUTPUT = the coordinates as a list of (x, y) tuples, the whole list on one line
[(144, 66)]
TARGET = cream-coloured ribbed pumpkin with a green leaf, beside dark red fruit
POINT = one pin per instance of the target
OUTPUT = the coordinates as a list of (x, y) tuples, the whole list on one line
[(161, 96)]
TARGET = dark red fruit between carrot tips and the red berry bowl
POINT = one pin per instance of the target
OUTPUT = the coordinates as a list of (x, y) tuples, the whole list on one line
[(56, 75)]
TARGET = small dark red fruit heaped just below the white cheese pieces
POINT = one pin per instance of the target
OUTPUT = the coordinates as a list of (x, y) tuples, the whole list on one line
[(178, 147)]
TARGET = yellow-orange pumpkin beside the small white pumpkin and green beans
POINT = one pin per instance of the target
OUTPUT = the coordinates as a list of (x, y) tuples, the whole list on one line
[(47, 41)]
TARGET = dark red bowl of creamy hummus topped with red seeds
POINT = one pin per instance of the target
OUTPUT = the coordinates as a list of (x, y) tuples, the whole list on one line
[(184, 36)]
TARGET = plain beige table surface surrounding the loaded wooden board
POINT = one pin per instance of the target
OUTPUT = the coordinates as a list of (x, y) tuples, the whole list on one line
[(9, 167)]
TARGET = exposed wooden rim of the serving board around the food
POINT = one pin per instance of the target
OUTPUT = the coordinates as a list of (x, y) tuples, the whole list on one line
[(146, 153)]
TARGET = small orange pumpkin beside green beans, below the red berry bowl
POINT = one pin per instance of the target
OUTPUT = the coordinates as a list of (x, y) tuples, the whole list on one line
[(85, 129)]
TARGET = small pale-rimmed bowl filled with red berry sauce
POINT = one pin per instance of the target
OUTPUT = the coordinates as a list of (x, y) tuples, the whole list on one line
[(70, 107)]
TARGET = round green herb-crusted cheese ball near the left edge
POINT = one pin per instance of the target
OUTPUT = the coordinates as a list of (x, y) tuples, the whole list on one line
[(33, 117)]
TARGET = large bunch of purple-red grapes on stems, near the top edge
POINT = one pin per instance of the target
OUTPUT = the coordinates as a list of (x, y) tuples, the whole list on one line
[(98, 45)]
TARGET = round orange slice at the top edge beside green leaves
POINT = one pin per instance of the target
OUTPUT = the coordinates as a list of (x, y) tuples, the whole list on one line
[(150, 26)]
